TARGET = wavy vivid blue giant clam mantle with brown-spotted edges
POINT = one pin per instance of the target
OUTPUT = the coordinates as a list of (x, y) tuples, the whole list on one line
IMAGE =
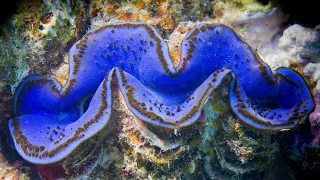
[(51, 121)]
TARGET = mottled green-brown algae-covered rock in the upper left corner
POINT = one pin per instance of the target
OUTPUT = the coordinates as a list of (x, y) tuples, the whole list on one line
[(35, 36)]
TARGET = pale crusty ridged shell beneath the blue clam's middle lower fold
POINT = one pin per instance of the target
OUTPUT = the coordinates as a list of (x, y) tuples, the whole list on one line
[(153, 153)]
